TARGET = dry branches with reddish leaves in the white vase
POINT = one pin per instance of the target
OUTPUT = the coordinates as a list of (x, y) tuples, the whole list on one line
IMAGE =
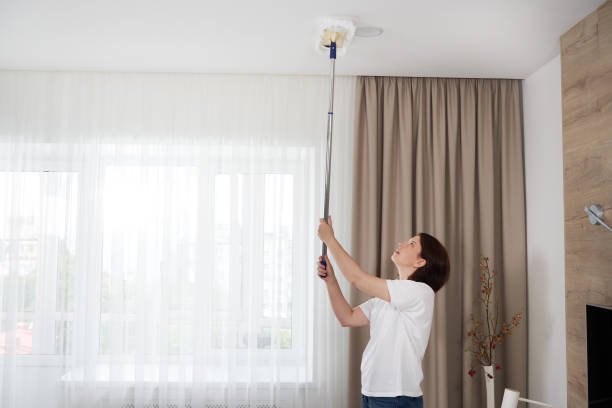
[(486, 334)]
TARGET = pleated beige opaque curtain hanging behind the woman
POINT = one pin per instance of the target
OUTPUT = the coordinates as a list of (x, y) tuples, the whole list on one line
[(444, 156)]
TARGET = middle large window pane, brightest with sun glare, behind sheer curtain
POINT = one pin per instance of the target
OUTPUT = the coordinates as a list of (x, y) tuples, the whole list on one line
[(150, 226)]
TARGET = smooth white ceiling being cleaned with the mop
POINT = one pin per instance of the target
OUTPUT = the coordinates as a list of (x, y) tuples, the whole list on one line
[(445, 38)]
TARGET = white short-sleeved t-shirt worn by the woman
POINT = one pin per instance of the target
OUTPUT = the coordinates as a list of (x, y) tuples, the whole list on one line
[(399, 332)]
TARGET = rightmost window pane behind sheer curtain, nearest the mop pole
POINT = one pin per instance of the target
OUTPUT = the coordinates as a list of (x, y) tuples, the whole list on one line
[(273, 276)]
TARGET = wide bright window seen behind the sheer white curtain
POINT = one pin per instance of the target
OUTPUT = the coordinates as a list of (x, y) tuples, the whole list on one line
[(186, 252)]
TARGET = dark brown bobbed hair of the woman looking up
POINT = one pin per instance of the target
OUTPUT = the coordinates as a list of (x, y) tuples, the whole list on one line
[(436, 270)]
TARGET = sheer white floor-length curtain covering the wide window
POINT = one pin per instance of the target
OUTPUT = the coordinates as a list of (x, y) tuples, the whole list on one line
[(157, 240)]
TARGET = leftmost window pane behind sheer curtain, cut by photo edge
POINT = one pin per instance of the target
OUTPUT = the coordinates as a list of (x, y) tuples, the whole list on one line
[(38, 212)]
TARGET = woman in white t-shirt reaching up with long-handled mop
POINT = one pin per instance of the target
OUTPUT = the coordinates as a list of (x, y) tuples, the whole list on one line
[(399, 314)]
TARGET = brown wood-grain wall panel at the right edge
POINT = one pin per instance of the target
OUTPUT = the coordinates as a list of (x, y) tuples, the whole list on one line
[(586, 68)]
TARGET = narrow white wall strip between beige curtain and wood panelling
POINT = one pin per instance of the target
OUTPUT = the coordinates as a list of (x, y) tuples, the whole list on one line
[(545, 234)]
